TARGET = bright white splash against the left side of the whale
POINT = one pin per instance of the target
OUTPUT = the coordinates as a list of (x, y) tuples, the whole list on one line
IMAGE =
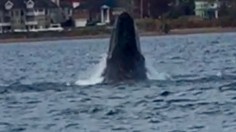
[(96, 72)]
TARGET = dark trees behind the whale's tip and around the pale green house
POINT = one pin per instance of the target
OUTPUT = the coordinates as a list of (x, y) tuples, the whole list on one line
[(171, 9)]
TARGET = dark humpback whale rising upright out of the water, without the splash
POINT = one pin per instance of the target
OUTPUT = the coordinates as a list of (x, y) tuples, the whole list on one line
[(124, 59)]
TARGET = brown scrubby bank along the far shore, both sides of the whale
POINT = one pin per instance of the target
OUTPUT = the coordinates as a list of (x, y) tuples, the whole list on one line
[(147, 27)]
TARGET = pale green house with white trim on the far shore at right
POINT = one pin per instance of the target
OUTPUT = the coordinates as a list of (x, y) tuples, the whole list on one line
[(206, 9)]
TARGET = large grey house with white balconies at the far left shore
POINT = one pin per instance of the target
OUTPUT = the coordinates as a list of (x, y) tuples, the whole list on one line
[(27, 15)]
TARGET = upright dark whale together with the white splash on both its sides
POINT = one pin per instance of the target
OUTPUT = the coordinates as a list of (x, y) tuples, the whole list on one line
[(124, 61)]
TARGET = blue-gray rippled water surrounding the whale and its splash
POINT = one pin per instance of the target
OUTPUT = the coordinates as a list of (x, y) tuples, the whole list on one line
[(38, 91)]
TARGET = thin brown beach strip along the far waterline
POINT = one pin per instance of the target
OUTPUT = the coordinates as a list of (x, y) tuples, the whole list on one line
[(172, 32)]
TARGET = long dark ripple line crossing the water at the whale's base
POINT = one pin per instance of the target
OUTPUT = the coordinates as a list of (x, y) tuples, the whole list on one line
[(227, 82)]
